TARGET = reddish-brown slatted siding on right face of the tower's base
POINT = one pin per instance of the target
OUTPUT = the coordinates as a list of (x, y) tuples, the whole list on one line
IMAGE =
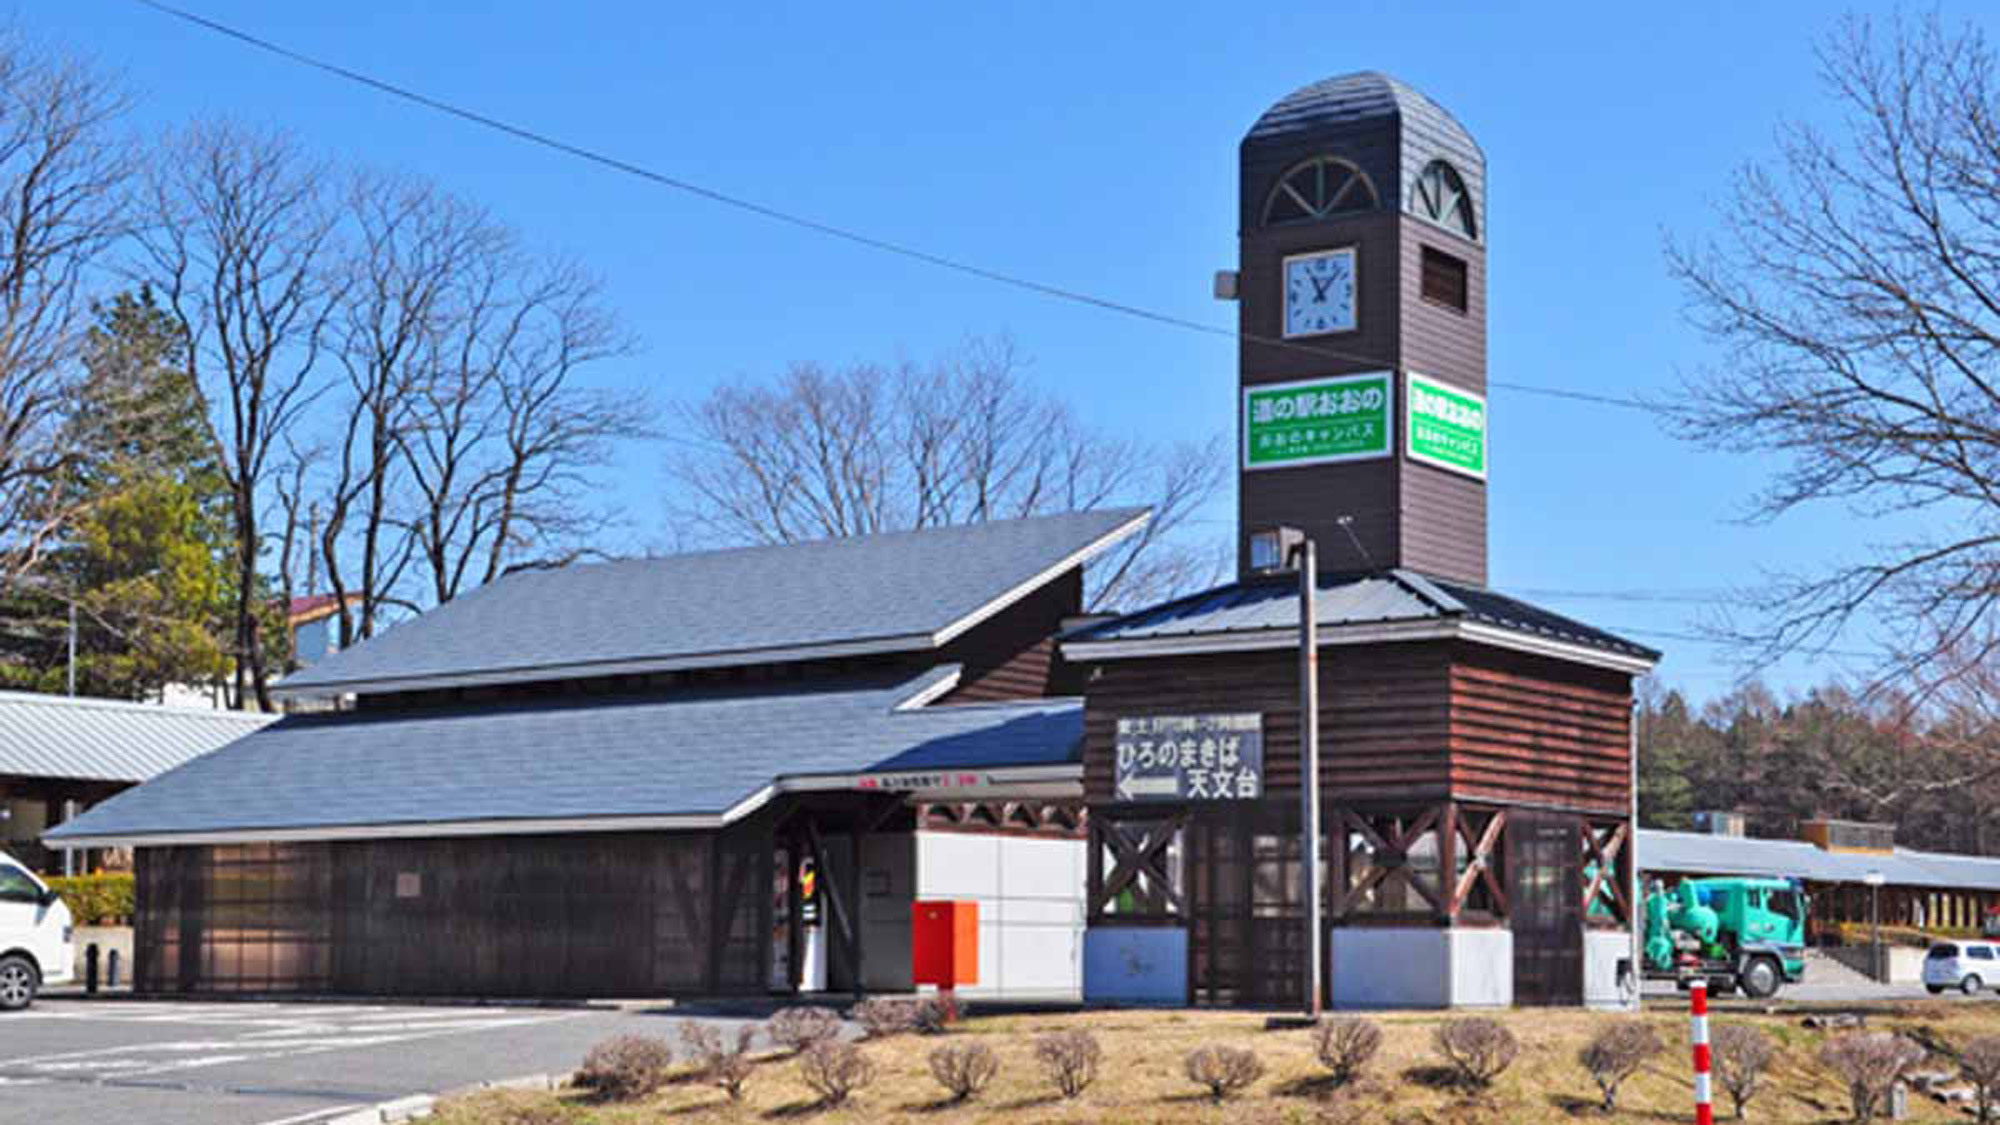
[(1537, 730)]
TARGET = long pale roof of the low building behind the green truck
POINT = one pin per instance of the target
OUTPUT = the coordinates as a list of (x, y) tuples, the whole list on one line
[(1701, 854)]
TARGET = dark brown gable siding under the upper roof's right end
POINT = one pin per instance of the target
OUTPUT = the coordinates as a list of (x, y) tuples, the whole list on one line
[(1013, 654)]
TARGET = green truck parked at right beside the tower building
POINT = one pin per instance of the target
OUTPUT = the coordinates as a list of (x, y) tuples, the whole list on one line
[(1737, 934)]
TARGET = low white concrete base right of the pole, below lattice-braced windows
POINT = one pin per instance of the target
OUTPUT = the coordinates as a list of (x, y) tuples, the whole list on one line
[(1421, 968)]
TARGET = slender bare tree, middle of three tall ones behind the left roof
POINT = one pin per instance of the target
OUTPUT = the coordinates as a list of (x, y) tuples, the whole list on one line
[(413, 247)]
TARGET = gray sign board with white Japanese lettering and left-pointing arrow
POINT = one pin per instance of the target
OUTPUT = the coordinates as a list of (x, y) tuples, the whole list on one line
[(1191, 758)]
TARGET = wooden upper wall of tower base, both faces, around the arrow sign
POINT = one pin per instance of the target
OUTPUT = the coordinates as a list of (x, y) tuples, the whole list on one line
[(1405, 722)]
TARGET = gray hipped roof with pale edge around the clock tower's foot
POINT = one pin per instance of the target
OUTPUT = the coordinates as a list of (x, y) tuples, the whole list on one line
[(1347, 602)]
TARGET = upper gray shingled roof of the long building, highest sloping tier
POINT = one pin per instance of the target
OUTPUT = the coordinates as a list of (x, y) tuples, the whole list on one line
[(901, 592)]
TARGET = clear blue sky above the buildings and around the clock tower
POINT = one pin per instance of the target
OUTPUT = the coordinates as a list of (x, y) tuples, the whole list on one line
[(1091, 147)]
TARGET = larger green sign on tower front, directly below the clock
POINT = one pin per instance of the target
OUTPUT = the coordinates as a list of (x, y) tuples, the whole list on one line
[(1319, 419)]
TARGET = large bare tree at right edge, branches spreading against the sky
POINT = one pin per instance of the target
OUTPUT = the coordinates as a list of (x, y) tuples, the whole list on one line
[(1855, 295)]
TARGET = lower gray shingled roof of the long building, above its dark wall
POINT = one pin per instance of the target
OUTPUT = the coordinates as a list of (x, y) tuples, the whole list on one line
[(685, 756)]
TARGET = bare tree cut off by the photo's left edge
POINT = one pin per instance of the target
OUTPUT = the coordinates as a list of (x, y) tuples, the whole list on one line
[(63, 195)]
